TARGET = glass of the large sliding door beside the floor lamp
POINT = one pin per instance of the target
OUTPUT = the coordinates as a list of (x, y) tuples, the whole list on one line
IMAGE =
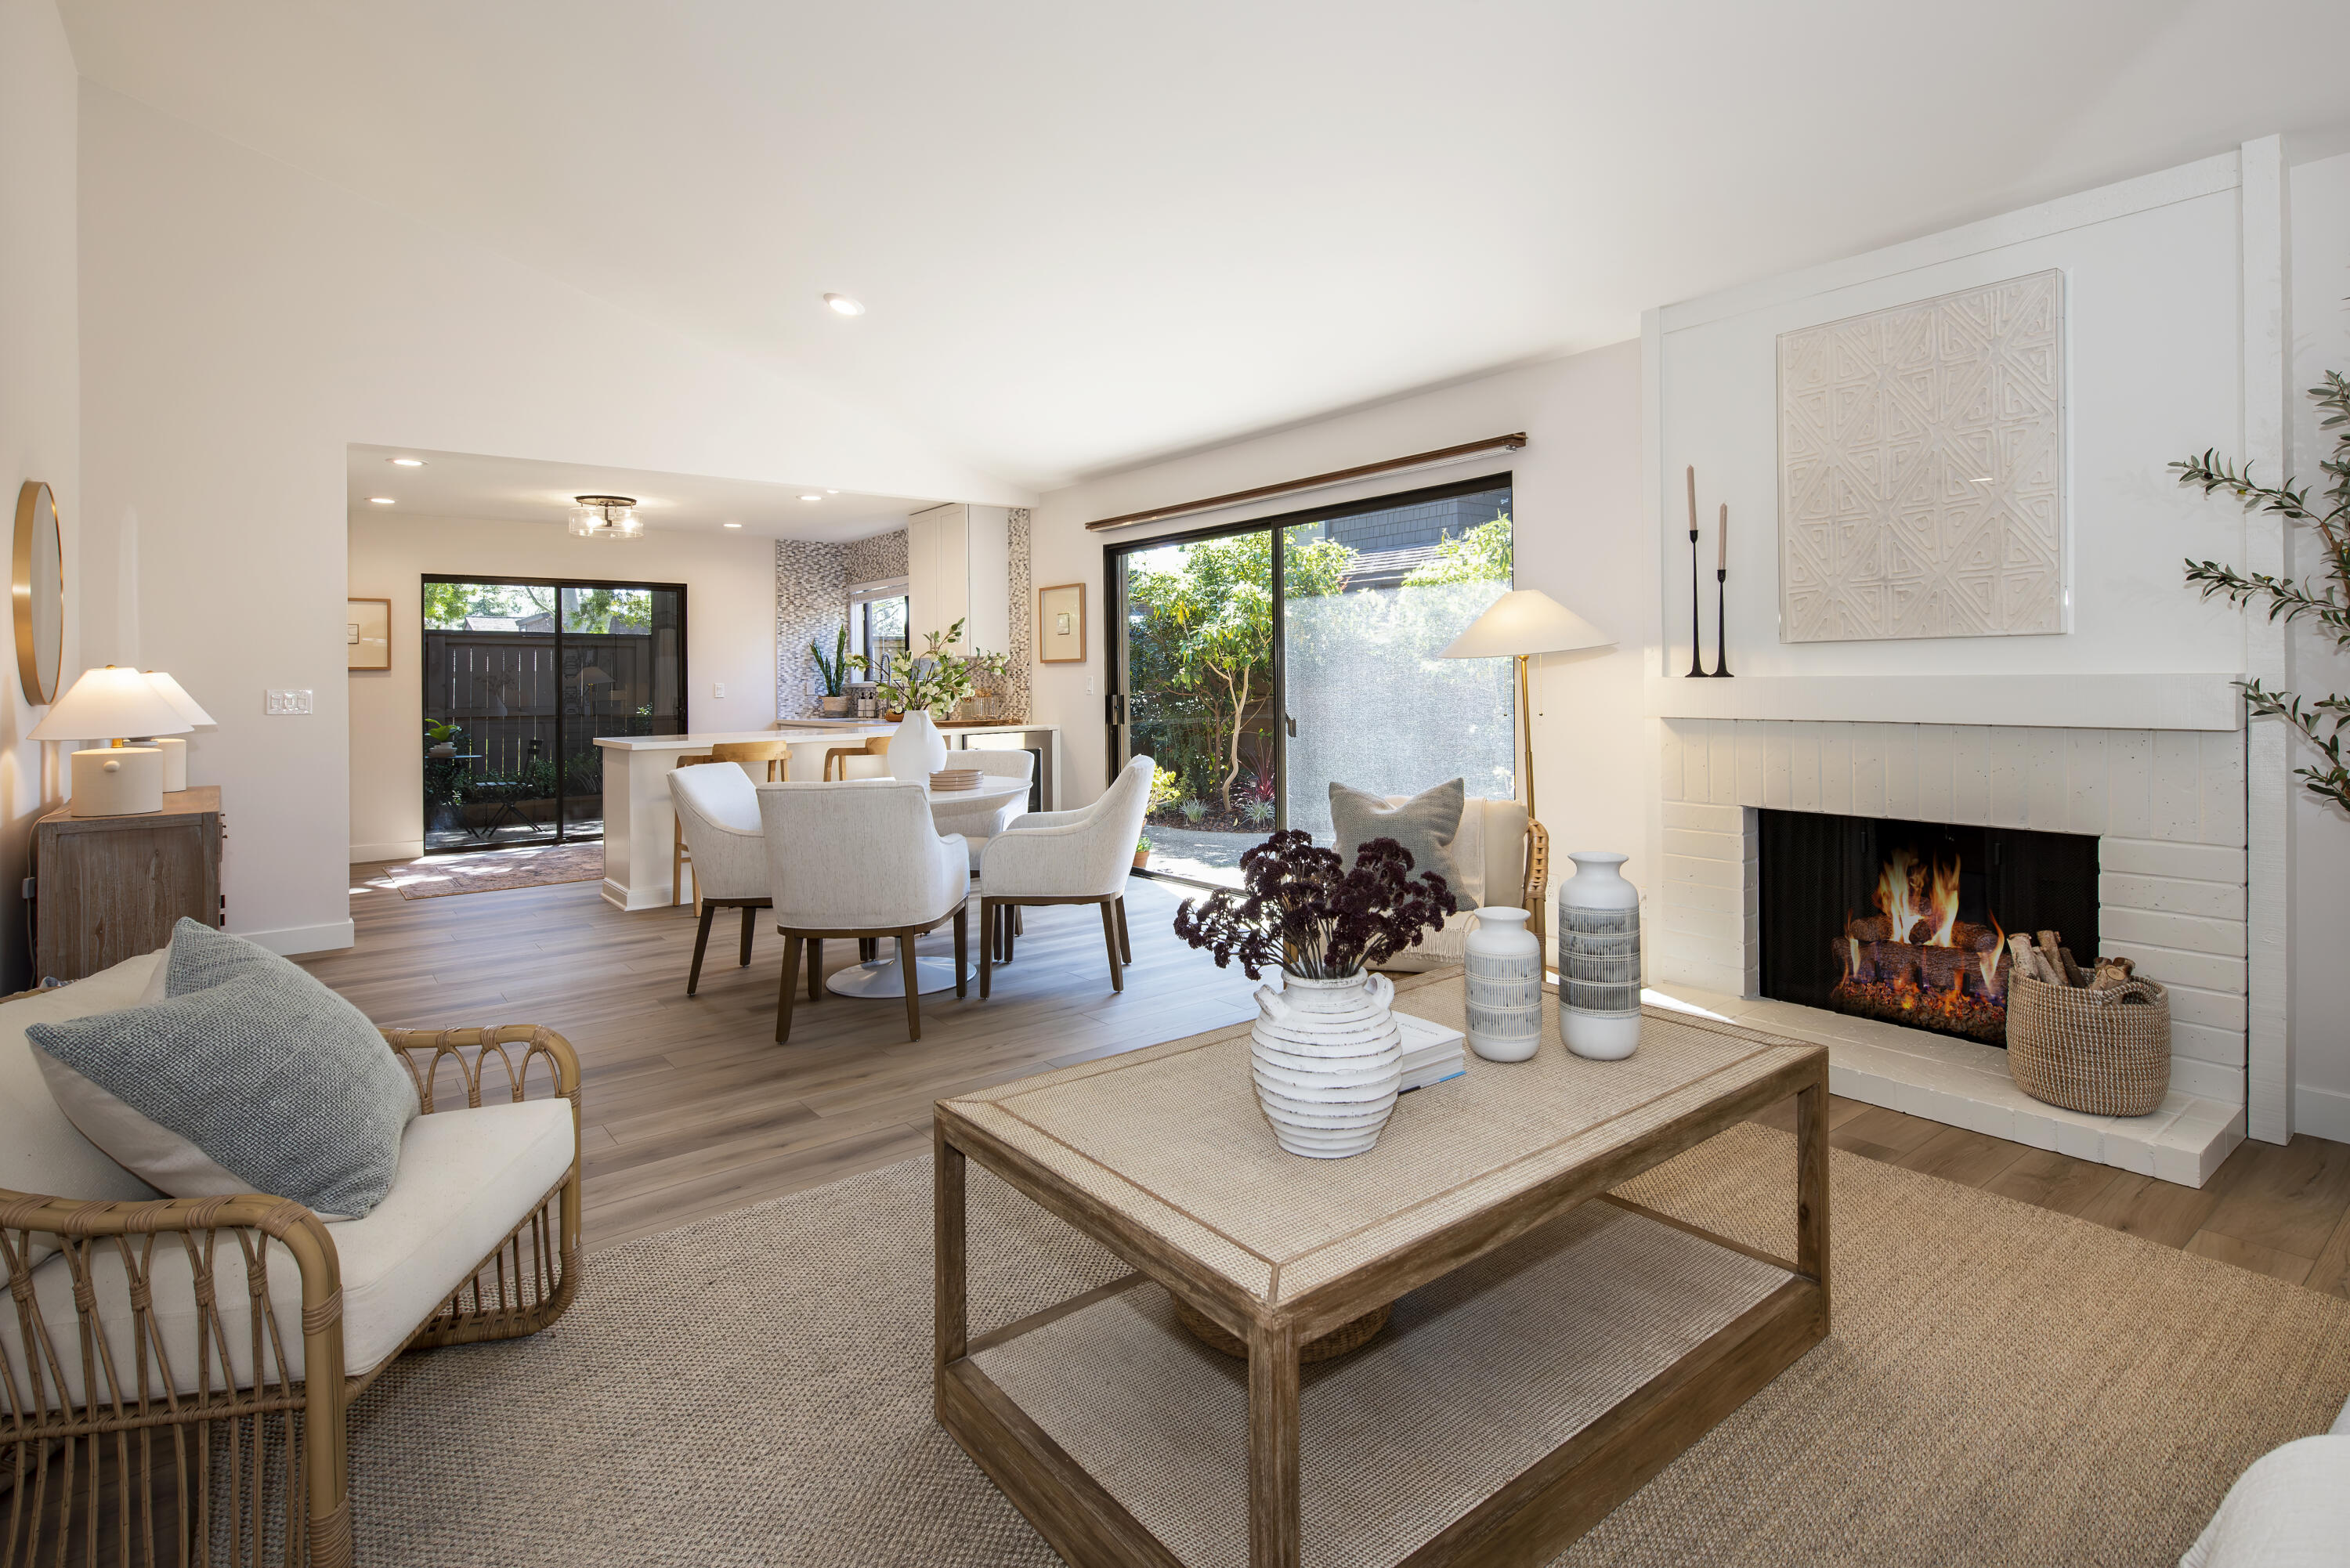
[(1263, 664)]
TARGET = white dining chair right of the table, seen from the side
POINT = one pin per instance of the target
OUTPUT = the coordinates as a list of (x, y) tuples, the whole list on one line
[(1068, 857)]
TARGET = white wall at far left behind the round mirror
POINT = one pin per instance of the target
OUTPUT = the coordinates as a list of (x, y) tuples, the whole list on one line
[(41, 394)]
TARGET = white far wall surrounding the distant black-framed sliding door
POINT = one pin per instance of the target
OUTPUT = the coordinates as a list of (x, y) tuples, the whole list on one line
[(730, 638)]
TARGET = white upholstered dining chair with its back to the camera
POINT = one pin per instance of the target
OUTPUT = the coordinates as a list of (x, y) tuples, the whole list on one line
[(859, 859)]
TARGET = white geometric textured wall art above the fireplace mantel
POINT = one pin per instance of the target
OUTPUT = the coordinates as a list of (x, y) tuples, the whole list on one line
[(1921, 469)]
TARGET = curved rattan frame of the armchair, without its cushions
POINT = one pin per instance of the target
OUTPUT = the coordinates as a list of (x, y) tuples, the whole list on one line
[(119, 1454)]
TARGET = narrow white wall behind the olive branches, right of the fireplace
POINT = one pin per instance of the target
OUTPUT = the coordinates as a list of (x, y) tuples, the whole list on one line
[(2321, 342)]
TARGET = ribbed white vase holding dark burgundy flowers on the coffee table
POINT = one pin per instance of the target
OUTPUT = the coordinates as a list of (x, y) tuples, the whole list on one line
[(1329, 1061)]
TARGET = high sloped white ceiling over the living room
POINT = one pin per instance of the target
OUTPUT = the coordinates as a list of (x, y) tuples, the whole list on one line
[(1094, 234)]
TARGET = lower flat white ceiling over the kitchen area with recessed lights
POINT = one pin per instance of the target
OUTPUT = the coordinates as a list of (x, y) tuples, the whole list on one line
[(518, 490)]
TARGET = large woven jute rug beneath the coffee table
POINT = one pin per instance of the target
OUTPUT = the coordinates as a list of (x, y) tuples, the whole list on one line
[(2003, 1386)]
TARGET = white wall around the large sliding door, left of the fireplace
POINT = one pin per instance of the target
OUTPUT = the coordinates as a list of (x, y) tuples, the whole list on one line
[(1578, 537)]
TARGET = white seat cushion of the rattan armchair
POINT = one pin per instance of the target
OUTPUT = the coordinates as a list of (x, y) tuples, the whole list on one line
[(466, 1179)]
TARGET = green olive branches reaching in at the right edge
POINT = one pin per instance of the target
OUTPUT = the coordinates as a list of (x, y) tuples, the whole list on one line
[(2321, 723)]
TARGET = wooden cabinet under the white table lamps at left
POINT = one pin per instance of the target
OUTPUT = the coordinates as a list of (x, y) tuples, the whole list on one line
[(112, 887)]
